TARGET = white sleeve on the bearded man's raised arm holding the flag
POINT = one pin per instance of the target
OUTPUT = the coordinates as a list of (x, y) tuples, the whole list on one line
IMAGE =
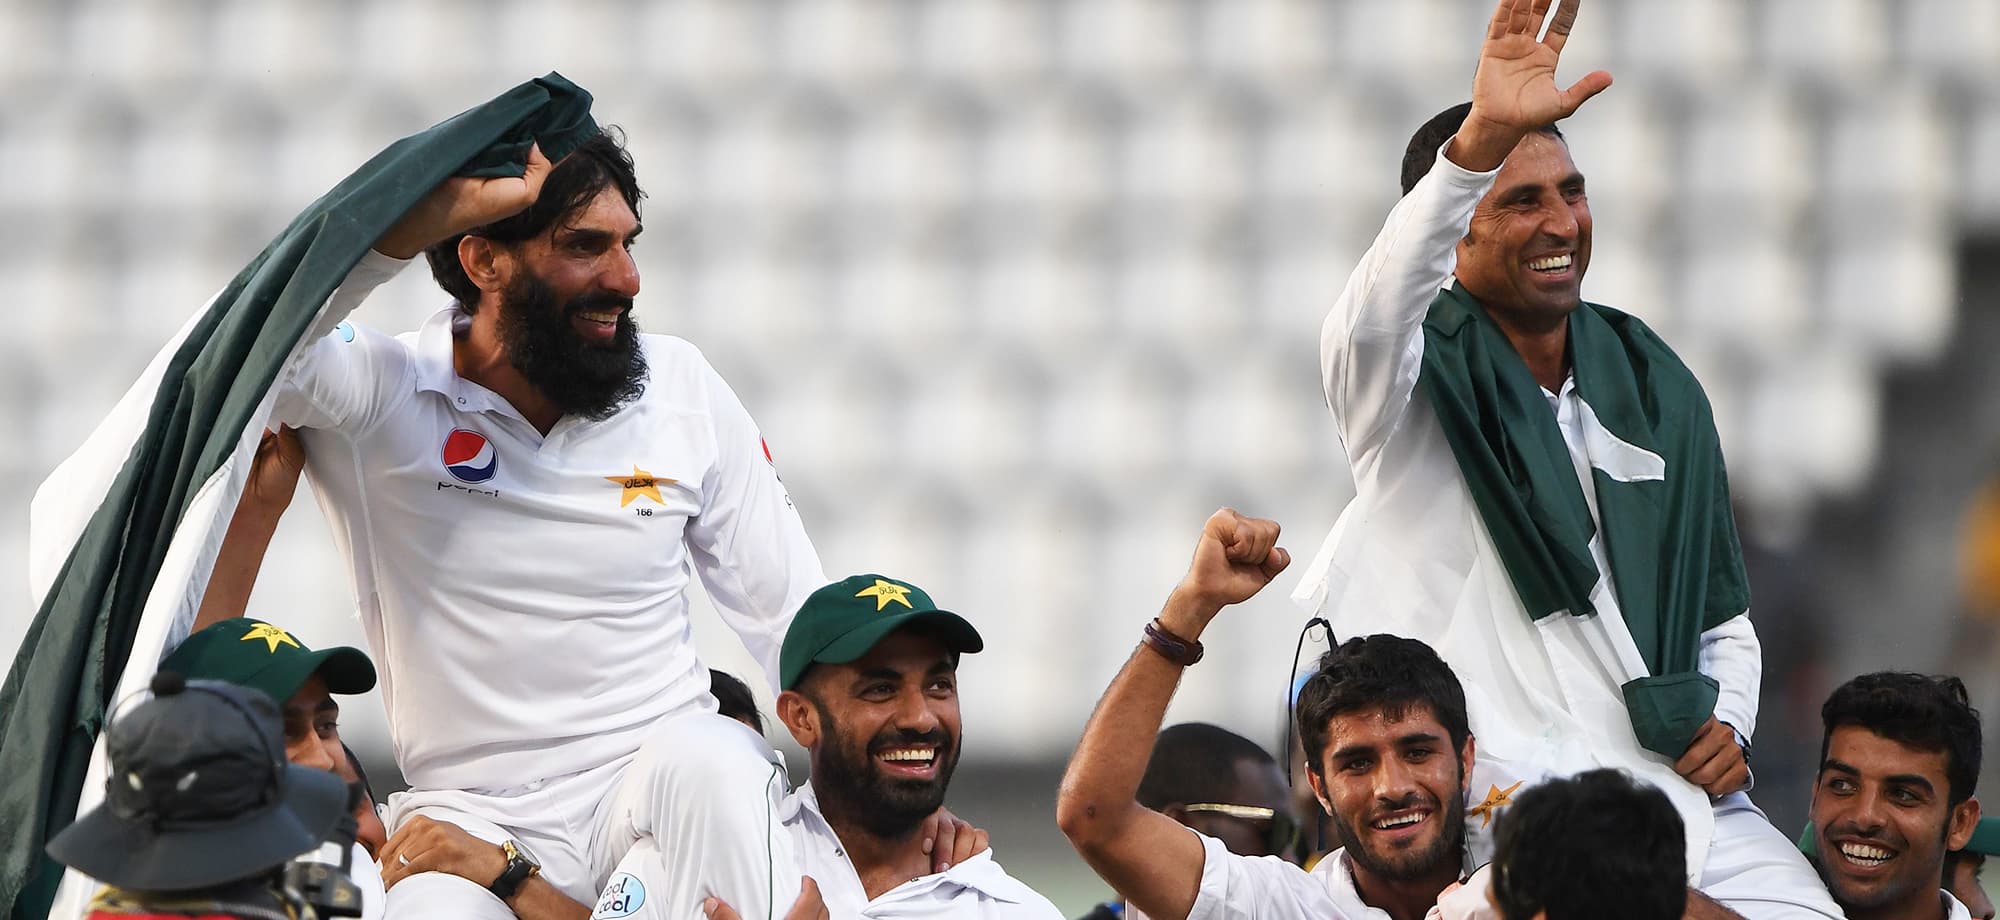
[(337, 379)]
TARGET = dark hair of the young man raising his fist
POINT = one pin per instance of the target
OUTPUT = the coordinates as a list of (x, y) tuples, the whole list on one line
[(1379, 671)]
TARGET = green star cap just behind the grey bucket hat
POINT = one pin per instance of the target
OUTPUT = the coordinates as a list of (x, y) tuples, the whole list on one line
[(263, 657)]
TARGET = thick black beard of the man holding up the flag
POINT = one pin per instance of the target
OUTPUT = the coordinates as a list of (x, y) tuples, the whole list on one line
[(583, 379)]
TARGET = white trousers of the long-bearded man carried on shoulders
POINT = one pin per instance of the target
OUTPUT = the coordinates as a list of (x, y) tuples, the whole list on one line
[(703, 787)]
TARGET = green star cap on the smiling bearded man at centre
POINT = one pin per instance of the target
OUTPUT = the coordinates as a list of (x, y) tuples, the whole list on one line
[(847, 619)]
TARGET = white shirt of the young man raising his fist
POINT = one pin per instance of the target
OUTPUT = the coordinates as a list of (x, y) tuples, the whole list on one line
[(1269, 889)]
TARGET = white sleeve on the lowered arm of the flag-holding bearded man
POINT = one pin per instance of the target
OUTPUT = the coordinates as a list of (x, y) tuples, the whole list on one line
[(749, 543)]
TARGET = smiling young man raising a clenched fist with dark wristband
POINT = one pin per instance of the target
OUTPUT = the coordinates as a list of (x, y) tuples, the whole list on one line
[(1385, 729)]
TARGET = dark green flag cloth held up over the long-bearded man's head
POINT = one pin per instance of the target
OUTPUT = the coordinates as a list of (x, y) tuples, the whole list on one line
[(57, 693)]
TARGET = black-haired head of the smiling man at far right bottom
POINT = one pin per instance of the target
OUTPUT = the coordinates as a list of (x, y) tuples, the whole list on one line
[(1899, 771)]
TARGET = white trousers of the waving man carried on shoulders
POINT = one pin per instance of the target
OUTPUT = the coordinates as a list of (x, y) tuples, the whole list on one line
[(1757, 873)]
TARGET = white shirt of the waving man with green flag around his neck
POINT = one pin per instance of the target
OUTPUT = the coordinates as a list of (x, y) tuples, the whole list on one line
[(1413, 557)]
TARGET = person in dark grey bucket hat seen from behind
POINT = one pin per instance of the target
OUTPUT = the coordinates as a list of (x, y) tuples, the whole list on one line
[(201, 809)]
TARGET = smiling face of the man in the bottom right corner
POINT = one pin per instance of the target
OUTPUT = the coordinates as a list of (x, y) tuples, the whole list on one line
[(1883, 823)]
